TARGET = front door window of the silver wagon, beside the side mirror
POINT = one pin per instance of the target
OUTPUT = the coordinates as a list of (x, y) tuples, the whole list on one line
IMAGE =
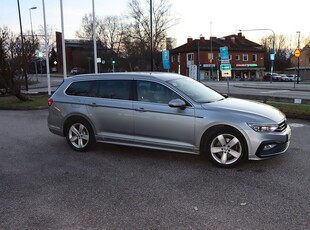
[(154, 92)]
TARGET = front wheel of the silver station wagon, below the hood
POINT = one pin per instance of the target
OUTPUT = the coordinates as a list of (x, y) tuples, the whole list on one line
[(226, 147)]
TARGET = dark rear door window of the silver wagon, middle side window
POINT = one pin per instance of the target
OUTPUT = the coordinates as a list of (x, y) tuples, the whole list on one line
[(115, 89)]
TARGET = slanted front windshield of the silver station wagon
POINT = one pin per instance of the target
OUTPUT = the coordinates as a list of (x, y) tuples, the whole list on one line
[(196, 90)]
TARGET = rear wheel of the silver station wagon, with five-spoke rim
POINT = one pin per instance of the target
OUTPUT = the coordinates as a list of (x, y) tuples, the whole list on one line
[(79, 135)]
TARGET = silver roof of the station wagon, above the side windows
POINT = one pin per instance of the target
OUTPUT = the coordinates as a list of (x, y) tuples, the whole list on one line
[(163, 76)]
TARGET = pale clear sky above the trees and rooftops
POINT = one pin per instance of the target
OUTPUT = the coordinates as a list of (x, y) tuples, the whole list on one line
[(197, 17)]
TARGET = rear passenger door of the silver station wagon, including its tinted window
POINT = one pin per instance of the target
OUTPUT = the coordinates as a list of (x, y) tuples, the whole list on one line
[(111, 110)]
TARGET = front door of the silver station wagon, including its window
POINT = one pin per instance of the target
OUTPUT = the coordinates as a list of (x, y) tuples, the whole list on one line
[(156, 124)]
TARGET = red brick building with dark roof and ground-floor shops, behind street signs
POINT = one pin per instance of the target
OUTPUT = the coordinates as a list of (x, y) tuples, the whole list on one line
[(246, 57)]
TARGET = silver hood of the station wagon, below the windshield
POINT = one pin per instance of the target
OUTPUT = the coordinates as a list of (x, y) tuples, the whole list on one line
[(246, 107)]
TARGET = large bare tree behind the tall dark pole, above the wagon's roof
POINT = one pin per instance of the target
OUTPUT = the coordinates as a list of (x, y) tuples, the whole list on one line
[(138, 36)]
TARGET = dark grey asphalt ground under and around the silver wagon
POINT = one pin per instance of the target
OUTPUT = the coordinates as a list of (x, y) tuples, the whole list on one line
[(46, 185)]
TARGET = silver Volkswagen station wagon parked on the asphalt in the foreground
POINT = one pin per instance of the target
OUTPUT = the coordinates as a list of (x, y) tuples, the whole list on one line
[(165, 111)]
